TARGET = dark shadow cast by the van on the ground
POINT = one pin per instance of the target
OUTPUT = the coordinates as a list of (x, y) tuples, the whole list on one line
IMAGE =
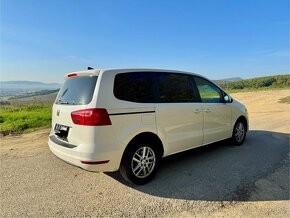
[(222, 171)]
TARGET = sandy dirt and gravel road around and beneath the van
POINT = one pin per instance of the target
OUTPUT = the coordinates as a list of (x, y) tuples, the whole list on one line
[(215, 181)]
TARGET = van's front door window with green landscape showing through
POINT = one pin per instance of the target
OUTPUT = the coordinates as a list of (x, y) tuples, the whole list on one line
[(209, 93)]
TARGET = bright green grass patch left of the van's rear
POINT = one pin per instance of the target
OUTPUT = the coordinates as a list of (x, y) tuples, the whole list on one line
[(19, 118)]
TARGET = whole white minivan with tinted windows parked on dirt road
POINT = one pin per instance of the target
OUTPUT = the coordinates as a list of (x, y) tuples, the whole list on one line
[(128, 119)]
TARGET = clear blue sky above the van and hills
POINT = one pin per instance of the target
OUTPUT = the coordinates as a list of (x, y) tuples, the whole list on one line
[(43, 40)]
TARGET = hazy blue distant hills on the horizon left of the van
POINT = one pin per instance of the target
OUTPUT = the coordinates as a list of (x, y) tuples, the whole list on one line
[(16, 88)]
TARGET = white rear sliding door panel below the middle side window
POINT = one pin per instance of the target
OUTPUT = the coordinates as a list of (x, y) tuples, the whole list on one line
[(179, 125)]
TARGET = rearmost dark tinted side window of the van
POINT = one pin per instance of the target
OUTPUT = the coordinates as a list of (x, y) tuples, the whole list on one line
[(135, 87)]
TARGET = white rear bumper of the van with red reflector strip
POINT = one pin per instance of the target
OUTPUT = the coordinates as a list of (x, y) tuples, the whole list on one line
[(75, 156)]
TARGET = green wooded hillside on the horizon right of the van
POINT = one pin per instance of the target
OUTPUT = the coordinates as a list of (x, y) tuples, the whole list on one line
[(269, 82)]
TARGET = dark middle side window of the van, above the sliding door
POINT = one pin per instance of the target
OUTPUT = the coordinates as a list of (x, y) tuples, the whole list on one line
[(174, 87)]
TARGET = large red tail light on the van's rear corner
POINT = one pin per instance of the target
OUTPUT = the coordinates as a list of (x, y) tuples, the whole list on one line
[(91, 117)]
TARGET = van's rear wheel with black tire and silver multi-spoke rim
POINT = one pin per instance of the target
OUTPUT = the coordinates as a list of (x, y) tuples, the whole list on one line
[(138, 167)]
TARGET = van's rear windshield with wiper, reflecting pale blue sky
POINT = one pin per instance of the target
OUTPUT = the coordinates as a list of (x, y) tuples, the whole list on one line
[(77, 90)]
